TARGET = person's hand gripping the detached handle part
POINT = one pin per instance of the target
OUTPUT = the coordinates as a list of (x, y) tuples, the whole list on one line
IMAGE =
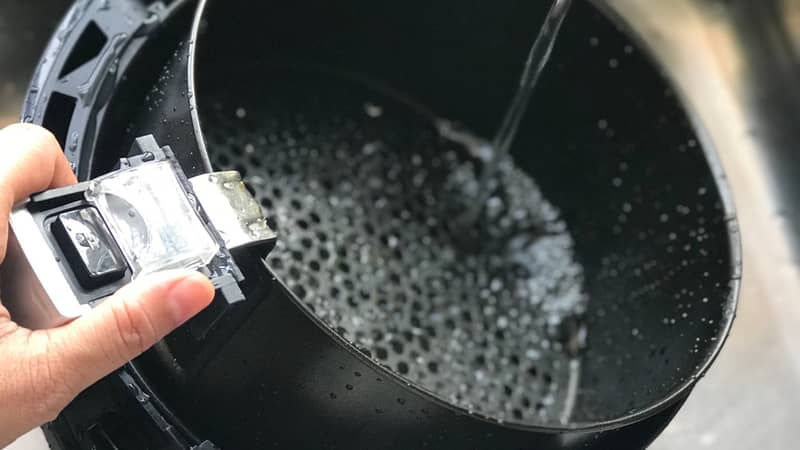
[(42, 371)]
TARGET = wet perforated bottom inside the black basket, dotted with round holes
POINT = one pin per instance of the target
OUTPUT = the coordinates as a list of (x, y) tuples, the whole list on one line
[(363, 191)]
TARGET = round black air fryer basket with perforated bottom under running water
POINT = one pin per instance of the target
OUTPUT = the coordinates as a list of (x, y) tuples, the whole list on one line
[(381, 327)]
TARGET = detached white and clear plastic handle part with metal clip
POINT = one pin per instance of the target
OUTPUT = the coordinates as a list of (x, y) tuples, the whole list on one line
[(71, 247)]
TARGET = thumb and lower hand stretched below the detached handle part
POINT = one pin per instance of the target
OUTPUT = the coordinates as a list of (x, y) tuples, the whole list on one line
[(42, 371)]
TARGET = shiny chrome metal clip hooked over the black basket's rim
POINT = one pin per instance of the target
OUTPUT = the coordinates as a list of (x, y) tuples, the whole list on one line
[(236, 215)]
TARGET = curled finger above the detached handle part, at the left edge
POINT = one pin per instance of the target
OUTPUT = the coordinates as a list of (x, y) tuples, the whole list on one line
[(32, 162)]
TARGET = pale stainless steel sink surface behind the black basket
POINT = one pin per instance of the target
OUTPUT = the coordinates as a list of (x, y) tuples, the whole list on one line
[(736, 63)]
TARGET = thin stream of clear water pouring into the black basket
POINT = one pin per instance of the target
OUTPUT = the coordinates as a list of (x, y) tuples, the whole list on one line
[(492, 154)]
